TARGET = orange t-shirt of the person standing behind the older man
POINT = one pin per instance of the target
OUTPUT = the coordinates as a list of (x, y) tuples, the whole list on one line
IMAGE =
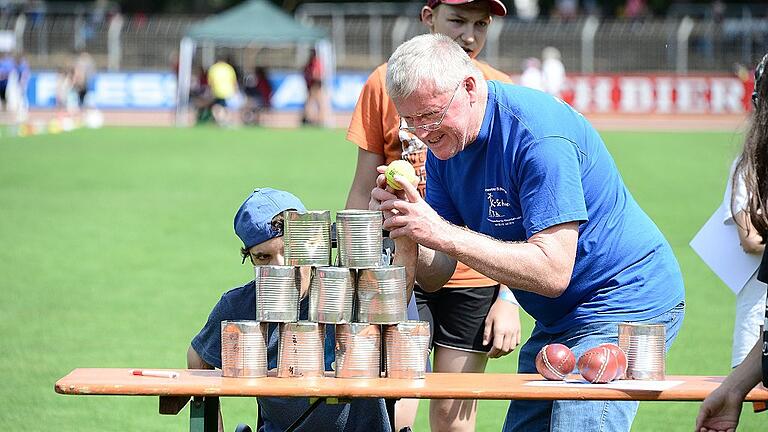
[(374, 127)]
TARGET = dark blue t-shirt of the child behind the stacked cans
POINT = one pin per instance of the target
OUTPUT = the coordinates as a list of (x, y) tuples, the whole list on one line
[(361, 415)]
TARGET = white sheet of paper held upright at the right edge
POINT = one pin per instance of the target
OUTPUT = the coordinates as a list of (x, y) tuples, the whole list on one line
[(718, 246)]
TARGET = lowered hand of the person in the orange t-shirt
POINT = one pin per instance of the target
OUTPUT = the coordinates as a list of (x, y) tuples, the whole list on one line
[(502, 327)]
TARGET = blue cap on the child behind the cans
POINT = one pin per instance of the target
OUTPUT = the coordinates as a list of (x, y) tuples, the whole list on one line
[(253, 221)]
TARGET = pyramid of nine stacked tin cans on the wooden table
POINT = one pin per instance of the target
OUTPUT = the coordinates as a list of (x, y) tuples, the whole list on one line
[(363, 297)]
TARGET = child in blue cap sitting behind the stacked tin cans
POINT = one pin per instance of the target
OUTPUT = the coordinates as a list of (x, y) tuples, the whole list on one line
[(259, 225)]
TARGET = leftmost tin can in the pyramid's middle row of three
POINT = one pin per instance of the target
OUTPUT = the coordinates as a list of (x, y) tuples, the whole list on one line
[(277, 293)]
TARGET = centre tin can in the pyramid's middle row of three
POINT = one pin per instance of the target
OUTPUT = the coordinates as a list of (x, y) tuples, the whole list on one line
[(331, 295)]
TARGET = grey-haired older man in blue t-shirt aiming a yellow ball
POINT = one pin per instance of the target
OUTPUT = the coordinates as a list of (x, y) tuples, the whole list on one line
[(523, 190)]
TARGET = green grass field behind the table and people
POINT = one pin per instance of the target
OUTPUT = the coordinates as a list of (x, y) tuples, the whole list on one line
[(116, 244)]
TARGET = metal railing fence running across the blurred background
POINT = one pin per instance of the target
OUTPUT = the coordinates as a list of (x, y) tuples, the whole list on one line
[(365, 34)]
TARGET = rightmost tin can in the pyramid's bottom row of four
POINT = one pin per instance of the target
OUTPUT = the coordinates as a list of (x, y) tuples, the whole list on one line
[(407, 347)]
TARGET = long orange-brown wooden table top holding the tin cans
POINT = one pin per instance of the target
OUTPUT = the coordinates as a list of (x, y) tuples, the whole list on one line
[(109, 381)]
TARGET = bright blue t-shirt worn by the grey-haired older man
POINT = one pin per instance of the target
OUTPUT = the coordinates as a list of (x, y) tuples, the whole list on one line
[(537, 163)]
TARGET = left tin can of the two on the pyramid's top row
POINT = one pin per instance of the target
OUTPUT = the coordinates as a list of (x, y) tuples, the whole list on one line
[(307, 238)]
